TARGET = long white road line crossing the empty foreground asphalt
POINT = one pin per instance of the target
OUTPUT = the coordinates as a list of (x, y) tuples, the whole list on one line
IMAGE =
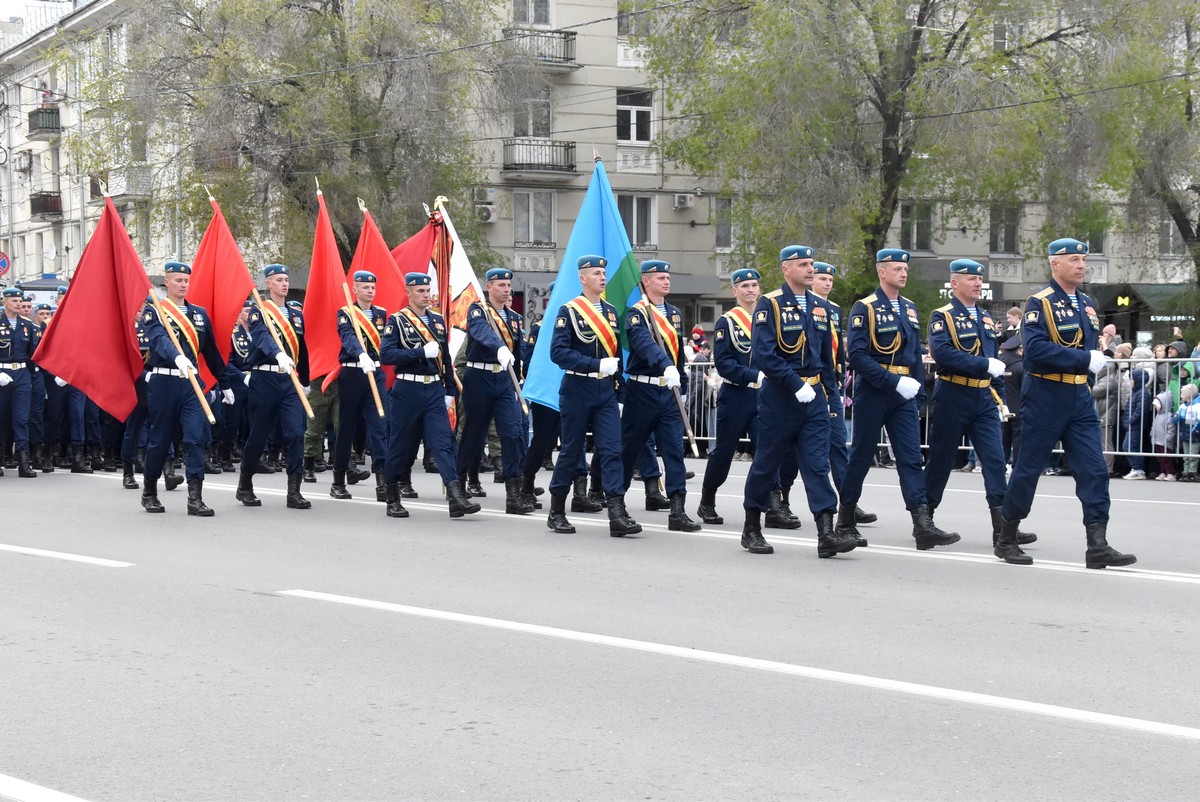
[(880, 684)]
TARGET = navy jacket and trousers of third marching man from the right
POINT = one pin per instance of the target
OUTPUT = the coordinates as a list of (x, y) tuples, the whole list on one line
[(883, 346)]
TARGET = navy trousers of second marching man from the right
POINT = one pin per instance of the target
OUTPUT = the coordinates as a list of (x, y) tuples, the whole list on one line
[(959, 411)]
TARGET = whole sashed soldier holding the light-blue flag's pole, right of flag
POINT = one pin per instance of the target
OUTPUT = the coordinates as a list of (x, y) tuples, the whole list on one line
[(656, 368)]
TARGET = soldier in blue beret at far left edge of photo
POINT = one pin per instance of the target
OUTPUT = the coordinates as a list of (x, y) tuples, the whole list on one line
[(19, 339)]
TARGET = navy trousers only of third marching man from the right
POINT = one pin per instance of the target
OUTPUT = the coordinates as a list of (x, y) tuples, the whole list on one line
[(875, 410)]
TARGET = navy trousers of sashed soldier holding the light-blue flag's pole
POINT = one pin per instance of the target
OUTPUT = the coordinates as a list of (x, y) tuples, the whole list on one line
[(650, 409)]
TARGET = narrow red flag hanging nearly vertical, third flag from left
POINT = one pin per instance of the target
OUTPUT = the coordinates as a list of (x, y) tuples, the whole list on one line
[(323, 297)]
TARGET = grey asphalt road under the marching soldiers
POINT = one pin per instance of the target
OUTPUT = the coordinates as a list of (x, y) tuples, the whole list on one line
[(339, 655)]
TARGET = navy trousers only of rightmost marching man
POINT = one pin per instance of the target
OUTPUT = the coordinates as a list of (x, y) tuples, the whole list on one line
[(1053, 412)]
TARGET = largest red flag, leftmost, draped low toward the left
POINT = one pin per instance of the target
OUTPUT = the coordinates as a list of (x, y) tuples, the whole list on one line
[(92, 343)]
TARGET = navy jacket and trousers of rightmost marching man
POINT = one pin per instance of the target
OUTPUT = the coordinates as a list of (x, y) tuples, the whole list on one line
[(1058, 405)]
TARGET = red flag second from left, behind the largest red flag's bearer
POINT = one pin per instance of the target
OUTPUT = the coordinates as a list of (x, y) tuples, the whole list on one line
[(220, 284)]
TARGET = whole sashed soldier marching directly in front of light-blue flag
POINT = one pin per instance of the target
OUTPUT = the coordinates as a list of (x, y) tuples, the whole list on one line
[(587, 345)]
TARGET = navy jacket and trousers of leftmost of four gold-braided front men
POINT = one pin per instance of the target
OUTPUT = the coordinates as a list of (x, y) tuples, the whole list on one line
[(794, 348)]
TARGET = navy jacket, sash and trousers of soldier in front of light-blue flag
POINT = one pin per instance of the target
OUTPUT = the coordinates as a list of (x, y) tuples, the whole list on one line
[(587, 402)]
